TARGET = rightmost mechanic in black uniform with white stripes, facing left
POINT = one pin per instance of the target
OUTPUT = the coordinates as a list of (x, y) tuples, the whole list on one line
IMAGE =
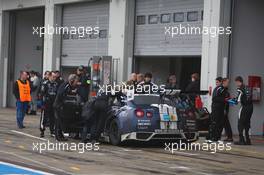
[(244, 96)]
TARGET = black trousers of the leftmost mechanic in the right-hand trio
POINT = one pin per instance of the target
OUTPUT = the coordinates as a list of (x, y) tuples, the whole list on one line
[(217, 122)]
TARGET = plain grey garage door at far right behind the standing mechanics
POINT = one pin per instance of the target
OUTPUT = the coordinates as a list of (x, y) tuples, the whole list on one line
[(247, 55)]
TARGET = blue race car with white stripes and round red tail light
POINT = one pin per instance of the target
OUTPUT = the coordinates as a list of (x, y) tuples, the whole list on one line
[(151, 117)]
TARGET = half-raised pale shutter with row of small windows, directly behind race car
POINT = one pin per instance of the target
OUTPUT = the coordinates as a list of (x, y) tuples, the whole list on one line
[(152, 16)]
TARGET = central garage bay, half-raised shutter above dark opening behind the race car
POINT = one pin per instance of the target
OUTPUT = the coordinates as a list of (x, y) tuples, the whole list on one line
[(160, 53)]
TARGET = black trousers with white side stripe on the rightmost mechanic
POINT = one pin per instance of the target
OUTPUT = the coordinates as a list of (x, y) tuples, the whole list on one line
[(245, 114)]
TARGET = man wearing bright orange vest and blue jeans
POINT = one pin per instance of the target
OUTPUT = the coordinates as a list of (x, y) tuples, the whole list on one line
[(21, 91)]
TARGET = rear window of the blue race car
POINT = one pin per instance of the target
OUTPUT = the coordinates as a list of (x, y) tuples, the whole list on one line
[(146, 99)]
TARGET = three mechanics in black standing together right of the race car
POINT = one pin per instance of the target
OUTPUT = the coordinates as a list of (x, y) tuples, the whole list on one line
[(221, 100)]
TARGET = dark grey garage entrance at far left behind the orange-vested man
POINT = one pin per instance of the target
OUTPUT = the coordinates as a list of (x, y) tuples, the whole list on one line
[(25, 49)]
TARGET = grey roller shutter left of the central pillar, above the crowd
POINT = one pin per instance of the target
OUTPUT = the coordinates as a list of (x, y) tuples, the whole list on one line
[(78, 48)]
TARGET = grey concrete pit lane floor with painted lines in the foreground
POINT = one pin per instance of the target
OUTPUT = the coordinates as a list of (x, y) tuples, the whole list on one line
[(16, 148)]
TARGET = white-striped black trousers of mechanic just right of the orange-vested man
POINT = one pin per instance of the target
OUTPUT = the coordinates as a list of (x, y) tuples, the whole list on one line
[(47, 115)]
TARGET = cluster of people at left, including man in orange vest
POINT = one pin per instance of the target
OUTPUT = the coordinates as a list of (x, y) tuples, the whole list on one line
[(49, 91)]
